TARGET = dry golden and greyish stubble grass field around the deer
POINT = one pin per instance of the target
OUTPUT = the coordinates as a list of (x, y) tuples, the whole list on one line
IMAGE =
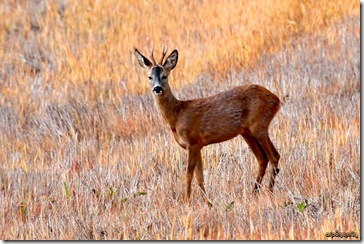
[(85, 154)]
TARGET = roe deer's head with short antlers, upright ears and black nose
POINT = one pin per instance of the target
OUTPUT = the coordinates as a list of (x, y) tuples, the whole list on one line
[(158, 72)]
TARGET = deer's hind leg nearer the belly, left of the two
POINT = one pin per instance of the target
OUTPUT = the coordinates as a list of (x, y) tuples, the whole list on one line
[(261, 157)]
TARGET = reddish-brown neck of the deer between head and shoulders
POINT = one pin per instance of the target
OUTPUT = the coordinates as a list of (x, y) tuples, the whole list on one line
[(169, 106)]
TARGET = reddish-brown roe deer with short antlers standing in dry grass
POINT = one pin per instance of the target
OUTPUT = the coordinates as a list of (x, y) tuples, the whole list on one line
[(244, 110)]
